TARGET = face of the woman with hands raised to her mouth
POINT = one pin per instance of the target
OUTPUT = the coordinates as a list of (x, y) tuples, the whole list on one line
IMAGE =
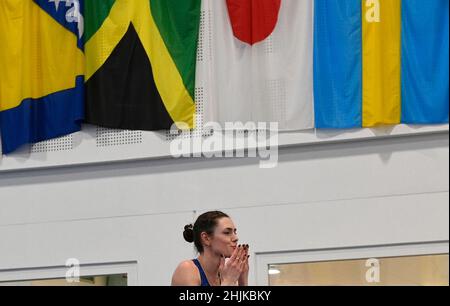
[(225, 239)]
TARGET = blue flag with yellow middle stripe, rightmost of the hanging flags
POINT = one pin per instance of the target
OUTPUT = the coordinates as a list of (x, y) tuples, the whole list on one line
[(381, 62)]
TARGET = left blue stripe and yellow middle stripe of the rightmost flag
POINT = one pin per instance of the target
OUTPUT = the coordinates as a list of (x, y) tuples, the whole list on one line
[(357, 63)]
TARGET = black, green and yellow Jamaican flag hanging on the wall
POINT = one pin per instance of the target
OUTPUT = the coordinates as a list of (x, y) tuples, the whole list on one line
[(141, 58)]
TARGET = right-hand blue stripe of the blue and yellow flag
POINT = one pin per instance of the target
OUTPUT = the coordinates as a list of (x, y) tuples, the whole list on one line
[(425, 64)]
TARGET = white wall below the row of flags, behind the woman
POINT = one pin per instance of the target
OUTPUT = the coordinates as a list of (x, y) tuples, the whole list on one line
[(363, 193)]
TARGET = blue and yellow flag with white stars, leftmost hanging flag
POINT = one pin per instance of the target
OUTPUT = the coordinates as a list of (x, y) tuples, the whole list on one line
[(41, 70)]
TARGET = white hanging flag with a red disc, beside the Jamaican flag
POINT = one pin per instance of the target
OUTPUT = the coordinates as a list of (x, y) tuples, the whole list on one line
[(262, 62)]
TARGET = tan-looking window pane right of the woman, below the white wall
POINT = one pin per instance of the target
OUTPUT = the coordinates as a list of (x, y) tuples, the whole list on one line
[(429, 270)]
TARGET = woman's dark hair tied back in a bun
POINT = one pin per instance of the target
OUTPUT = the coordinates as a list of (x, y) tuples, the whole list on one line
[(206, 223)]
